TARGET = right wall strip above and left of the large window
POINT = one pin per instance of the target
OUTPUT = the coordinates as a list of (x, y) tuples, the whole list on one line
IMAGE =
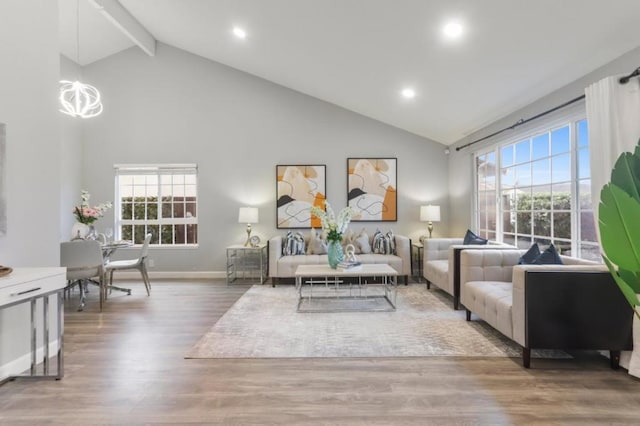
[(461, 166)]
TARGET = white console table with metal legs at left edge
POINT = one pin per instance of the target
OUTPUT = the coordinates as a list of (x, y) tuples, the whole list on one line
[(27, 285)]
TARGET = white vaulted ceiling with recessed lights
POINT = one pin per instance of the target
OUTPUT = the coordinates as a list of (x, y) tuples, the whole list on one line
[(359, 54)]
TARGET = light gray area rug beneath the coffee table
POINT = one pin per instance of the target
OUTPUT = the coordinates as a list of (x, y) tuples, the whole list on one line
[(264, 323)]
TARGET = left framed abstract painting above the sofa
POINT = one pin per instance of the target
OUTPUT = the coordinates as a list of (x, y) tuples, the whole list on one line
[(298, 189)]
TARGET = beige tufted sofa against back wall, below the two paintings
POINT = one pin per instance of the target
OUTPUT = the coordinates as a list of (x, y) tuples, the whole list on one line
[(281, 266)]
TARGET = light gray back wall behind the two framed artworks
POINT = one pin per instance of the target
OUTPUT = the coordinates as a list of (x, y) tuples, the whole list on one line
[(180, 108)]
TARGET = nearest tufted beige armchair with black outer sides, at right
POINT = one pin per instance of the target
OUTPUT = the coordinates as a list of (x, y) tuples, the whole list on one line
[(572, 306)]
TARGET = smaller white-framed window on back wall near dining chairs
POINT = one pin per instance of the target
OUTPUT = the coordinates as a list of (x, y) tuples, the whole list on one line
[(157, 199)]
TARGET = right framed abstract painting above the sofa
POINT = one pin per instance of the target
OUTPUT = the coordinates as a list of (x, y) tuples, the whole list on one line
[(372, 185)]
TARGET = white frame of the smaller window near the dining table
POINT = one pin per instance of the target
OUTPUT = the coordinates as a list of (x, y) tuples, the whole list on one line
[(158, 170)]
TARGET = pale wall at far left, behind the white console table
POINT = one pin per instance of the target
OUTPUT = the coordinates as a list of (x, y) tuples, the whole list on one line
[(29, 71)]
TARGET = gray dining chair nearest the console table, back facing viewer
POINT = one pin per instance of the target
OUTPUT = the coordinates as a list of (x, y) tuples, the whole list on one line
[(84, 263)]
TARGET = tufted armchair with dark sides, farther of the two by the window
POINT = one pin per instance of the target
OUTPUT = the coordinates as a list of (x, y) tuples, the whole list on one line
[(441, 259)]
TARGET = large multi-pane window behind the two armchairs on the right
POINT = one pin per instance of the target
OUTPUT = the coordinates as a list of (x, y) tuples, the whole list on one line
[(537, 188)]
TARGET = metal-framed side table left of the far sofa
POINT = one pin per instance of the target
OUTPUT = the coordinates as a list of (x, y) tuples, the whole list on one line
[(247, 263)]
